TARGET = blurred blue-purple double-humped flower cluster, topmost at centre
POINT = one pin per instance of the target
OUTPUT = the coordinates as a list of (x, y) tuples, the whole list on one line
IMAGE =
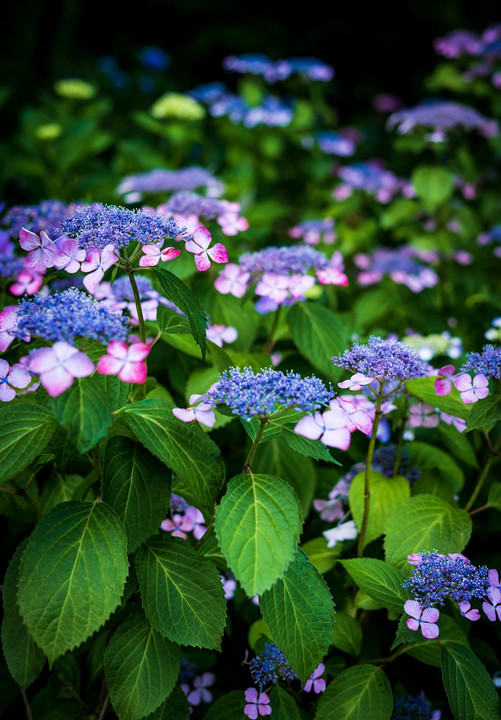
[(275, 70)]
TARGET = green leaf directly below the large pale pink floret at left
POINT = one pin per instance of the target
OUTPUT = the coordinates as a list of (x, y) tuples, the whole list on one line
[(86, 410)]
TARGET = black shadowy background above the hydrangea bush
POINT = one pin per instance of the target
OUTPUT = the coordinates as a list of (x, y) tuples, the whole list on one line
[(378, 46)]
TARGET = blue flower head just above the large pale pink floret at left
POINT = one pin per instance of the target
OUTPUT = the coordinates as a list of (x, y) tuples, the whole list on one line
[(69, 315)]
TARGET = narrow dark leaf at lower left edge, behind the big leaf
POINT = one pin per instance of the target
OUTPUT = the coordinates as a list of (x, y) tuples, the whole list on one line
[(24, 658)]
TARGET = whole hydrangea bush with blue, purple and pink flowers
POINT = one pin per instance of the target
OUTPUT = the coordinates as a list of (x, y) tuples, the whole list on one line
[(249, 402)]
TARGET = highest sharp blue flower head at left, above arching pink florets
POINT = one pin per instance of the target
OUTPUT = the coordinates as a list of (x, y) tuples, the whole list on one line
[(96, 227)]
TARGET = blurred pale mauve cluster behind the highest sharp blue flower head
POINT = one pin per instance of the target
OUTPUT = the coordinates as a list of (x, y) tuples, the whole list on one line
[(162, 180)]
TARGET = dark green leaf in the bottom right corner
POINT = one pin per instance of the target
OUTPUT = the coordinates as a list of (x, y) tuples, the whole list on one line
[(469, 687)]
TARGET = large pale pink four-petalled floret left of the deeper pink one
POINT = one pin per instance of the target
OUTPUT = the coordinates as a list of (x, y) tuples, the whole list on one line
[(58, 365)]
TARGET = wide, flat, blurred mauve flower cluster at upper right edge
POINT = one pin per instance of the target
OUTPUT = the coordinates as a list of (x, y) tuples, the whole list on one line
[(442, 116)]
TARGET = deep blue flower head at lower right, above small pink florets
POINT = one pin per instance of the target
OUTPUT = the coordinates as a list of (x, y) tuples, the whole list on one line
[(439, 577)]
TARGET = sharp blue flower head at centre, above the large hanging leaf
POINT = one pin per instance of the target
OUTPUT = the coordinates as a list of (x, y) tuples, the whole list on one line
[(249, 395)]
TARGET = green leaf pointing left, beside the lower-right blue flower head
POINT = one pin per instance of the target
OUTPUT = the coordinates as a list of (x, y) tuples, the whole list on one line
[(381, 581)]
